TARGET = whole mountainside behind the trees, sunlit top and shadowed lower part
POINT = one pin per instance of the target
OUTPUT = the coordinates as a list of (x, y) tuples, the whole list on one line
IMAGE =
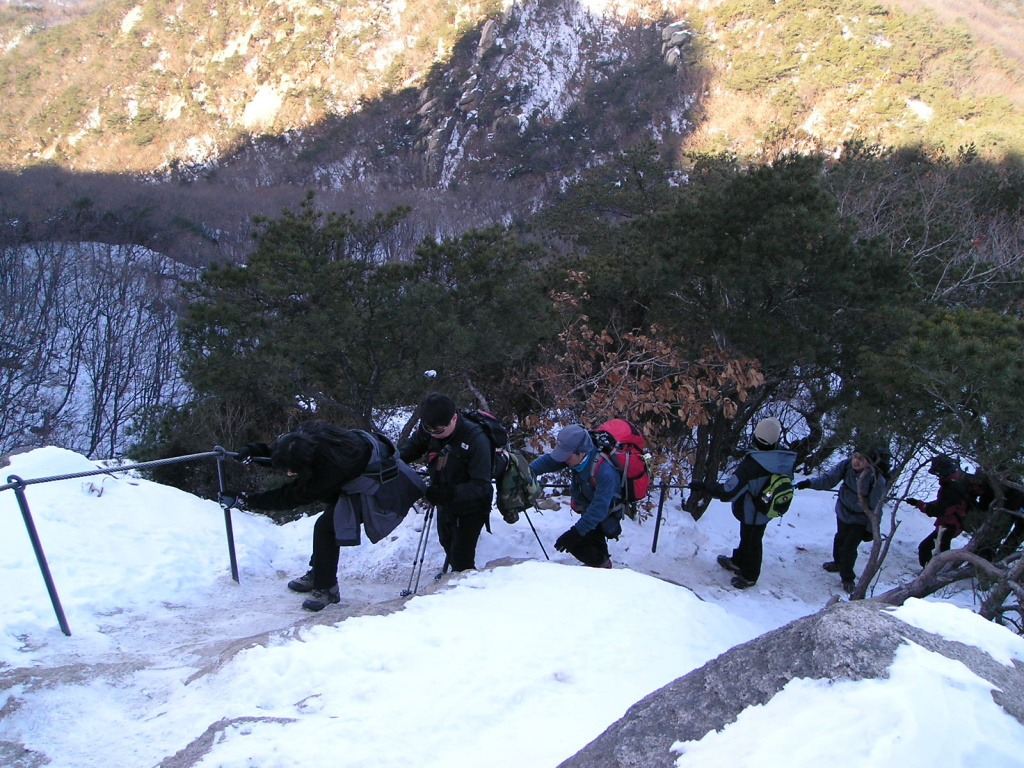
[(203, 115)]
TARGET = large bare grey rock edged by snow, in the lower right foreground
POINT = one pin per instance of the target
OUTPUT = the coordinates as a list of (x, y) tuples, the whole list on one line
[(847, 642)]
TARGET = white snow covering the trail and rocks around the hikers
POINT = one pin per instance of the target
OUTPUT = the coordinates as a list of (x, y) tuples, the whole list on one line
[(172, 663)]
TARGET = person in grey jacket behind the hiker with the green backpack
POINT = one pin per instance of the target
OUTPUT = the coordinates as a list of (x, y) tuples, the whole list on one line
[(864, 486)]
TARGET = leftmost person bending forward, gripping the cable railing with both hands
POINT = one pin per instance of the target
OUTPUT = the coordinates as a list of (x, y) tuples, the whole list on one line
[(321, 459)]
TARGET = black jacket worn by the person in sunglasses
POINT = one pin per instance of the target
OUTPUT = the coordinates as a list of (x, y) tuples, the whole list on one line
[(461, 461)]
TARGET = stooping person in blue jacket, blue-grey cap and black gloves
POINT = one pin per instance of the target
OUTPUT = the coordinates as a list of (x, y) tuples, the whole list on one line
[(595, 499)]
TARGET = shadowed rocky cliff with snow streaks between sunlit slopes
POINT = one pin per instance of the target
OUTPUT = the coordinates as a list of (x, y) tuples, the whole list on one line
[(541, 91)]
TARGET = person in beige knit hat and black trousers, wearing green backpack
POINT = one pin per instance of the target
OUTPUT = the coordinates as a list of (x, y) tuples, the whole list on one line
[(742, 489)]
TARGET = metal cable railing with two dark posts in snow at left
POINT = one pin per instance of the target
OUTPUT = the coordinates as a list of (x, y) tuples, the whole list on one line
[(19, 486)]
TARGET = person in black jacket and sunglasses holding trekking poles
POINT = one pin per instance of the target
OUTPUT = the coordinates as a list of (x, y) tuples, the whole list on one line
[(459, 464)]
